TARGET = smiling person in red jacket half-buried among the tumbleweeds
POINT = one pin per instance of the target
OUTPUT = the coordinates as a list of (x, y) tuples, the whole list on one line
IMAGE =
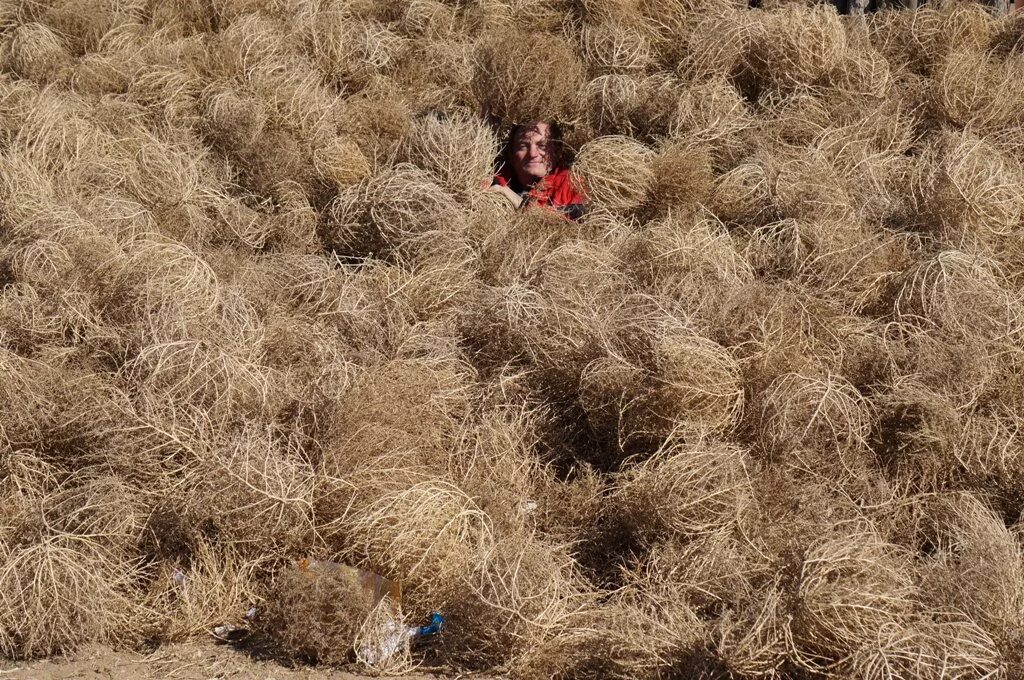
[(533, 171)]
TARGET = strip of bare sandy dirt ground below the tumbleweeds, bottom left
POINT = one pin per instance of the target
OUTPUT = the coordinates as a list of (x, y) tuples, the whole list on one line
[(182, 662)]
